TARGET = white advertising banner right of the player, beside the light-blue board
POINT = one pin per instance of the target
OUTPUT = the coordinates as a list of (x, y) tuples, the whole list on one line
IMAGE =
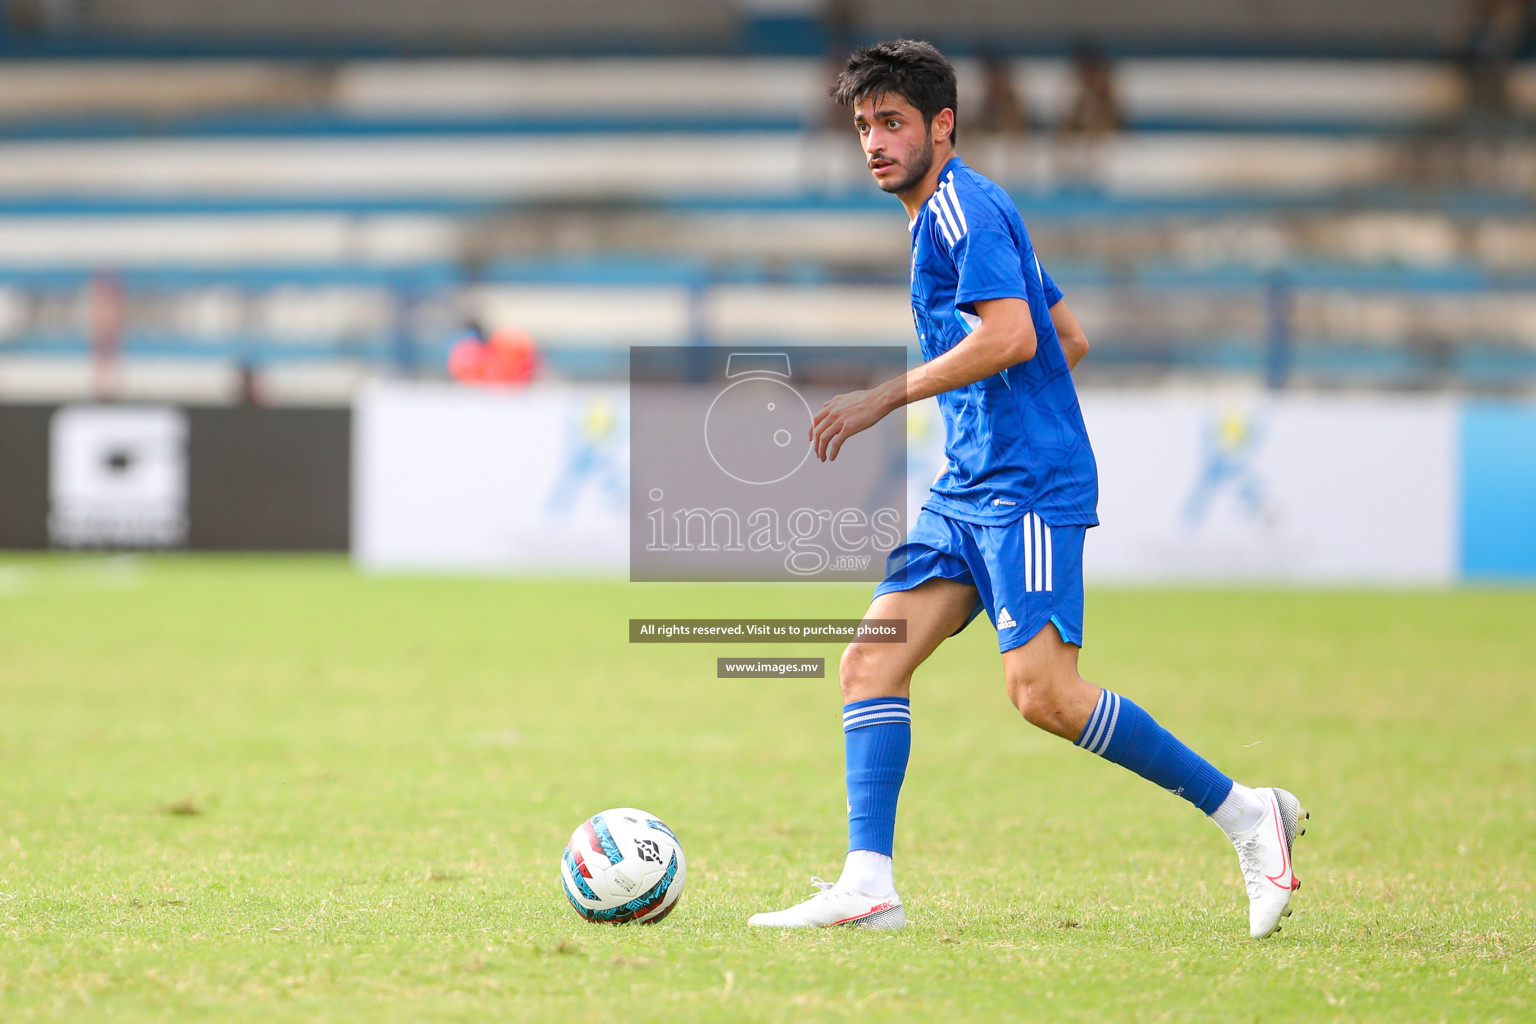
[(1288, 489)]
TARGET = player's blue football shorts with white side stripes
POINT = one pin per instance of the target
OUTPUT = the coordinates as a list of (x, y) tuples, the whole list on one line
[(1027, 573)]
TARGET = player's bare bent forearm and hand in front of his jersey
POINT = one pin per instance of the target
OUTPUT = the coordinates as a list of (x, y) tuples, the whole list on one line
[(1005, 339)]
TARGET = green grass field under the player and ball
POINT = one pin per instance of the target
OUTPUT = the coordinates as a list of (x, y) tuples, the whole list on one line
[(270, 790)]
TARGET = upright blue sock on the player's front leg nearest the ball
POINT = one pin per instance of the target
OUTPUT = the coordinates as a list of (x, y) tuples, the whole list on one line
[(878, 738)]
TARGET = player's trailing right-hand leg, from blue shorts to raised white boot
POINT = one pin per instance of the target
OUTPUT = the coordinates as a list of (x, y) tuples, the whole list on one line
[(1047, 689)]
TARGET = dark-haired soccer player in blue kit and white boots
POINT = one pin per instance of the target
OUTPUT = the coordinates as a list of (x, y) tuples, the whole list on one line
[(1004, 526)]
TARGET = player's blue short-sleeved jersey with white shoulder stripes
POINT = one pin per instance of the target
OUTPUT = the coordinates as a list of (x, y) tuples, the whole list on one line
[(1015, 441)]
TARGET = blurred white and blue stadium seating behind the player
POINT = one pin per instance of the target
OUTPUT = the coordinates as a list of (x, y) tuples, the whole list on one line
[(326, 220)]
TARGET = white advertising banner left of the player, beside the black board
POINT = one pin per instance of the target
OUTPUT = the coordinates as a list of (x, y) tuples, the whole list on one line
[(463, 480)]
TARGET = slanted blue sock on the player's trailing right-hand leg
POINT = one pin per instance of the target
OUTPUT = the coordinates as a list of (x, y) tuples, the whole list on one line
[(1122, 733)]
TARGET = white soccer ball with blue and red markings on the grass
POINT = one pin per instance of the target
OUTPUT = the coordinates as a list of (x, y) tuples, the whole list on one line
[(623, 865)]
